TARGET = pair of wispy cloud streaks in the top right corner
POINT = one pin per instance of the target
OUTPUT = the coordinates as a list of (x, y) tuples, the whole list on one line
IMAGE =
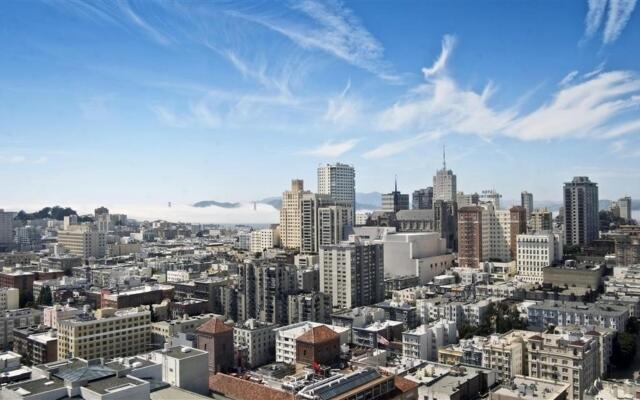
[(618, 13)]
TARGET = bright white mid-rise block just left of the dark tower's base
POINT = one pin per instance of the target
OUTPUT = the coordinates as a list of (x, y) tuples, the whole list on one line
[(535, 252)]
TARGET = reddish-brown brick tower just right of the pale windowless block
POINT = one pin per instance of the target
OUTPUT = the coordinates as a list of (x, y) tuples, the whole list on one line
[(469, 236)]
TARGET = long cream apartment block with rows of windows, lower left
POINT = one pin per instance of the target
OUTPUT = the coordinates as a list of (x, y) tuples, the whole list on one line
[(107, 333)]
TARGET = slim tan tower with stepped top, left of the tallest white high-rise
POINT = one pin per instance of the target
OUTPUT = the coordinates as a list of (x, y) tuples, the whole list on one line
[(290, 215)]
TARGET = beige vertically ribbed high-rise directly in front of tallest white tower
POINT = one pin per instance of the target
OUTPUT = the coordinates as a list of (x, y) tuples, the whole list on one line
[(322, 221)]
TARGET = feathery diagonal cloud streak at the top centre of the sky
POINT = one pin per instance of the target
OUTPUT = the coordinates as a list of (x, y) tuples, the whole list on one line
[(331, 28)]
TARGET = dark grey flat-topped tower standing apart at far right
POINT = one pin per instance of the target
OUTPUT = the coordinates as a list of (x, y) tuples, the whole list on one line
[(581, 218)]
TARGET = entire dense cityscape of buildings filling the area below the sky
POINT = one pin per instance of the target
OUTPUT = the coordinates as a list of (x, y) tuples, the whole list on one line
[(437, 295)]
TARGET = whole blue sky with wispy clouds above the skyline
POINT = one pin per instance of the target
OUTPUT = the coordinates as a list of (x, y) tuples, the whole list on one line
[(151, 102)]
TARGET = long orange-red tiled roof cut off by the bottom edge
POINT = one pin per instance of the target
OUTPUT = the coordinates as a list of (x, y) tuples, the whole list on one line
[(242, 389)]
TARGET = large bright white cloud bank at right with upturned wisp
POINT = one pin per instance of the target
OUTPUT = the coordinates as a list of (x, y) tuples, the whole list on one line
[(590, 107)]
